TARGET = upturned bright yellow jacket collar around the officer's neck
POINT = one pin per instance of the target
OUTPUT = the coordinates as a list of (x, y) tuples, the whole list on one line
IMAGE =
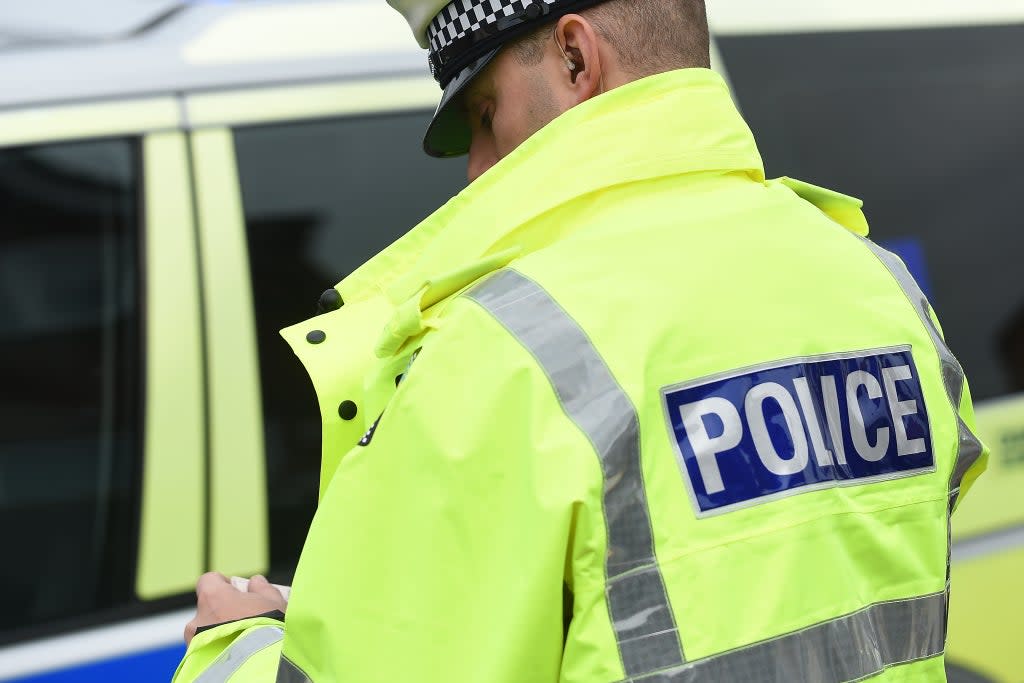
[(681, 122)]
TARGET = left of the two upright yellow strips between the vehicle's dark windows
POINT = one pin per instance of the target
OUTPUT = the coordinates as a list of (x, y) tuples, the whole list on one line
[(172, 536)]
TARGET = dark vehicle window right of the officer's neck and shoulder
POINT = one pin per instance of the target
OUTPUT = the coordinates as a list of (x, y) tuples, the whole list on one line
[(927, 126)]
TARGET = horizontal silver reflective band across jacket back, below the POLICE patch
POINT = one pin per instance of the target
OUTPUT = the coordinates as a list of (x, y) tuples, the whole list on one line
[(847, 649)]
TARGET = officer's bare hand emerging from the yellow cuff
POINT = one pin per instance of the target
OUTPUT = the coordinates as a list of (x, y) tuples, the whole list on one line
[(219, 602)]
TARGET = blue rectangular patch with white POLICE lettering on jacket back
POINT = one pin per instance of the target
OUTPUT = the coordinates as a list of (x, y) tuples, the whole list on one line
[(801, 425)]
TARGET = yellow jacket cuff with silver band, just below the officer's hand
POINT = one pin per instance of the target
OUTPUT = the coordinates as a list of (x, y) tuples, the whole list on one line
[(247, 651)]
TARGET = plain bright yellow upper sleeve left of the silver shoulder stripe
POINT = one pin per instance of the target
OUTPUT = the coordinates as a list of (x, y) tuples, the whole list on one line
[(440, 550)]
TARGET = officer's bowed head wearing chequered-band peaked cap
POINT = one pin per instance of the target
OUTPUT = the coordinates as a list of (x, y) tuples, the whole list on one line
[(510, 67)]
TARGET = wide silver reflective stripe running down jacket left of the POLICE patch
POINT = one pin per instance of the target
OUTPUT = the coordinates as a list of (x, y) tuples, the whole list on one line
[(644, 622)]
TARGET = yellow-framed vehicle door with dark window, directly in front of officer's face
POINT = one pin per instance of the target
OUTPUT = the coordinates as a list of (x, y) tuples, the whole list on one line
[(296, 186)]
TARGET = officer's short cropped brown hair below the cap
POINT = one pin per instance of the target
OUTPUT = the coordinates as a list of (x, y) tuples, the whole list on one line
[(651, 36)]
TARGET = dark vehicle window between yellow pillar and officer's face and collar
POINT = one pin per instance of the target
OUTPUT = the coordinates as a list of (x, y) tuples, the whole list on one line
[(320, 198)]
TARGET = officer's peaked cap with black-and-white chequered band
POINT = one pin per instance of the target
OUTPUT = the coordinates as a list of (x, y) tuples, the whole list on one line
[(462, 37)]
